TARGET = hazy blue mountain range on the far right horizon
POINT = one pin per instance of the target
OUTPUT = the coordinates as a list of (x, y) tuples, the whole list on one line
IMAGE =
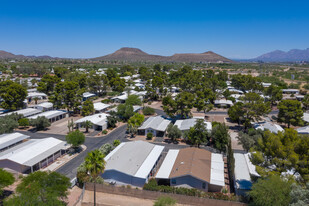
[(294, 55)]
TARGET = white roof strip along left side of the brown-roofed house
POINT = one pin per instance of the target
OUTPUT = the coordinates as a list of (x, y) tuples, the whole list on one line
[(167, 165)]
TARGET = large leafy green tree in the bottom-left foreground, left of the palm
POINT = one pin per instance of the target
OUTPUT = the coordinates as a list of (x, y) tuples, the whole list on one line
[(41, 188)]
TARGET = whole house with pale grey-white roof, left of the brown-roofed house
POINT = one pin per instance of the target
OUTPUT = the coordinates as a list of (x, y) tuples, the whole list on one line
[(132, 163)]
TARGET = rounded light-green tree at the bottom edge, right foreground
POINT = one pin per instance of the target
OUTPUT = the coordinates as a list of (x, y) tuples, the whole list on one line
[(271, 191)]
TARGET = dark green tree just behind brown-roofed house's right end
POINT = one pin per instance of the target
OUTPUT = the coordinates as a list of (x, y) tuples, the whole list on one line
[(220, 136)]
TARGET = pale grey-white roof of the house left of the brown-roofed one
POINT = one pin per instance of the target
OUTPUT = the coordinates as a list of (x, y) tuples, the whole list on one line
[(135, 158)]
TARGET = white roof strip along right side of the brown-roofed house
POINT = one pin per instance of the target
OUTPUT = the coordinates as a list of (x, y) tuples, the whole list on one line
[(217, 170)]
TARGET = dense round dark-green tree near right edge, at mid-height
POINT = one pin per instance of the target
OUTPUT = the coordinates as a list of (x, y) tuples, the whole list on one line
[(290, 112)]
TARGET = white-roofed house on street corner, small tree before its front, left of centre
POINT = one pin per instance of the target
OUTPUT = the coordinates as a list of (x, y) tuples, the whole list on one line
[(99, 121)]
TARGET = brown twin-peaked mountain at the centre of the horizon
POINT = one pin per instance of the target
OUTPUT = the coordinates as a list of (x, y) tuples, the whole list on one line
[(135, 55)]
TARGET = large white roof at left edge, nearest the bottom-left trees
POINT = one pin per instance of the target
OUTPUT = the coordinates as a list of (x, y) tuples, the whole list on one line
[(33, 151)]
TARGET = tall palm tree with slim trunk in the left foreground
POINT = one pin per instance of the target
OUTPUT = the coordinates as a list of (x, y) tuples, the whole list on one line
[(95, 165)]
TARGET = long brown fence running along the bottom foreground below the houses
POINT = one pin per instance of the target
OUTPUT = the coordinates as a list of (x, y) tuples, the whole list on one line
[(145, 194)]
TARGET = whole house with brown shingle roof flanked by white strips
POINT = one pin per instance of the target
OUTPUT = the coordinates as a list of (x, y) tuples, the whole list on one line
[(193, 168)]
